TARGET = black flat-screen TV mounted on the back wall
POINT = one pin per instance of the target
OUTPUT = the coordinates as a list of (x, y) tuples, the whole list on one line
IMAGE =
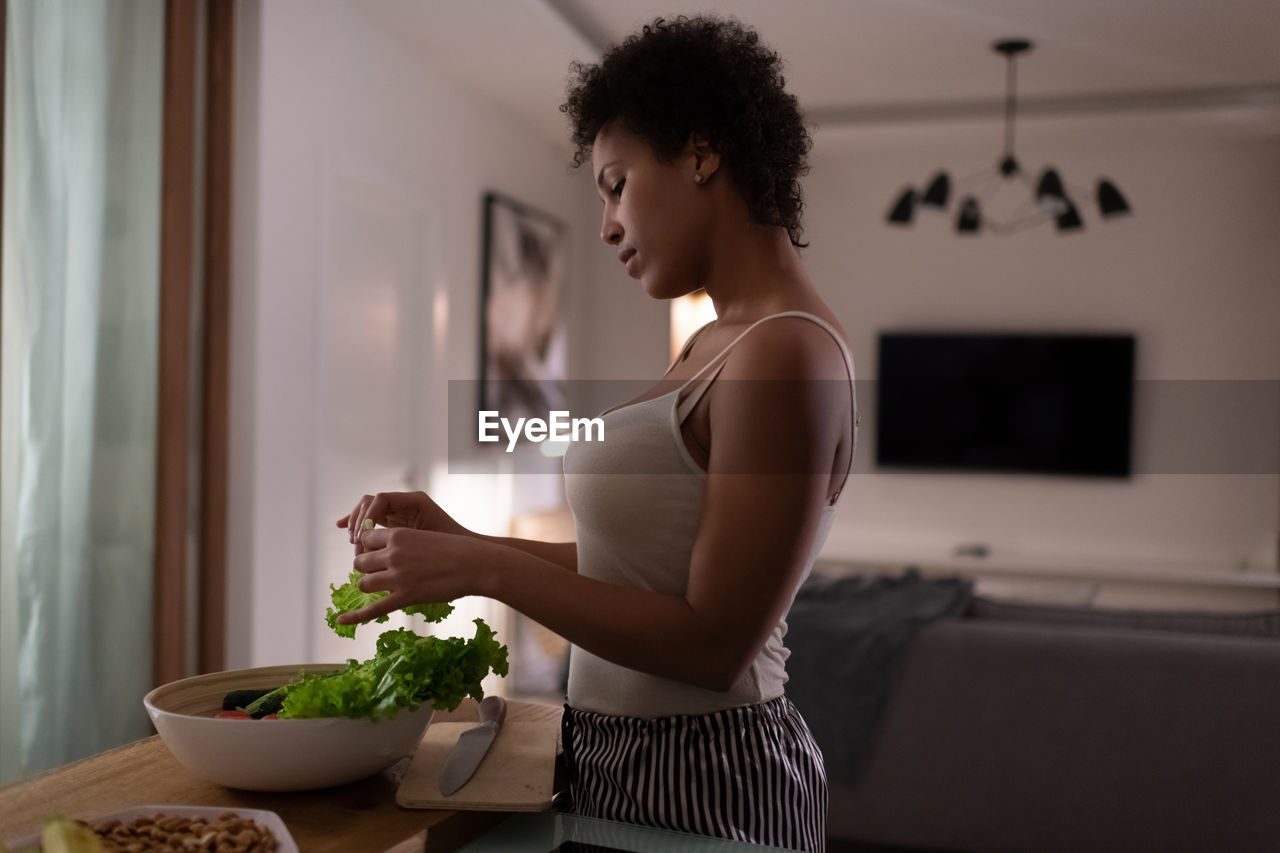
[(1036, 404)]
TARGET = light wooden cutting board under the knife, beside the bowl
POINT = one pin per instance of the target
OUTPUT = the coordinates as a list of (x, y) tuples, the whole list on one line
[(518, 774)]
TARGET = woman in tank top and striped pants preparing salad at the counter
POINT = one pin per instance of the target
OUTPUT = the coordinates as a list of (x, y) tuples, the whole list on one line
[(701, 513)]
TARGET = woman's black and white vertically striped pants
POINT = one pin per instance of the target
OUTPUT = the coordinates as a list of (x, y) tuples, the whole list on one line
[(749, 774)]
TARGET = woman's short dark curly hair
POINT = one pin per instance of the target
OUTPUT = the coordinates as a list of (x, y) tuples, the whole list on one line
[(705, 76)]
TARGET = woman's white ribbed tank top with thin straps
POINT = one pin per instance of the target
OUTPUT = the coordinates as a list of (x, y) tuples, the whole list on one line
[(637, 499)]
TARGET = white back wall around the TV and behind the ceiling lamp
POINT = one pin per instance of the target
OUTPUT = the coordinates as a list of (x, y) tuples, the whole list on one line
[(1194, 273)]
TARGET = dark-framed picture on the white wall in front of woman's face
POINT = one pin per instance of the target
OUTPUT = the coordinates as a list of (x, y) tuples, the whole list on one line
[(524, 314)]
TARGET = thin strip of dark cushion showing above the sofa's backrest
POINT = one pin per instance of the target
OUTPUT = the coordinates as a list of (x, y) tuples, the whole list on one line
[(1252, 624)]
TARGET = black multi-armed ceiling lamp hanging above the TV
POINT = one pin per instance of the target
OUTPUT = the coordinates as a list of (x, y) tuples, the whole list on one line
[(1053, 199)]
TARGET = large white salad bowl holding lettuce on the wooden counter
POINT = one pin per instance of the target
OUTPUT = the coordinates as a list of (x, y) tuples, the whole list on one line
[(276, 755)]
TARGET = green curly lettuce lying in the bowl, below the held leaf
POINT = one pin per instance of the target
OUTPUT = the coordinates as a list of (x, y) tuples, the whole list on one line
[(406, 672)]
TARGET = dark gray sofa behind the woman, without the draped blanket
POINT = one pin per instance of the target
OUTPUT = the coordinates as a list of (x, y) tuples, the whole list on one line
[(1041, 729)]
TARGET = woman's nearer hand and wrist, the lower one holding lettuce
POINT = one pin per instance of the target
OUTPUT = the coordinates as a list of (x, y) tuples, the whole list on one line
[(414, 567)]
